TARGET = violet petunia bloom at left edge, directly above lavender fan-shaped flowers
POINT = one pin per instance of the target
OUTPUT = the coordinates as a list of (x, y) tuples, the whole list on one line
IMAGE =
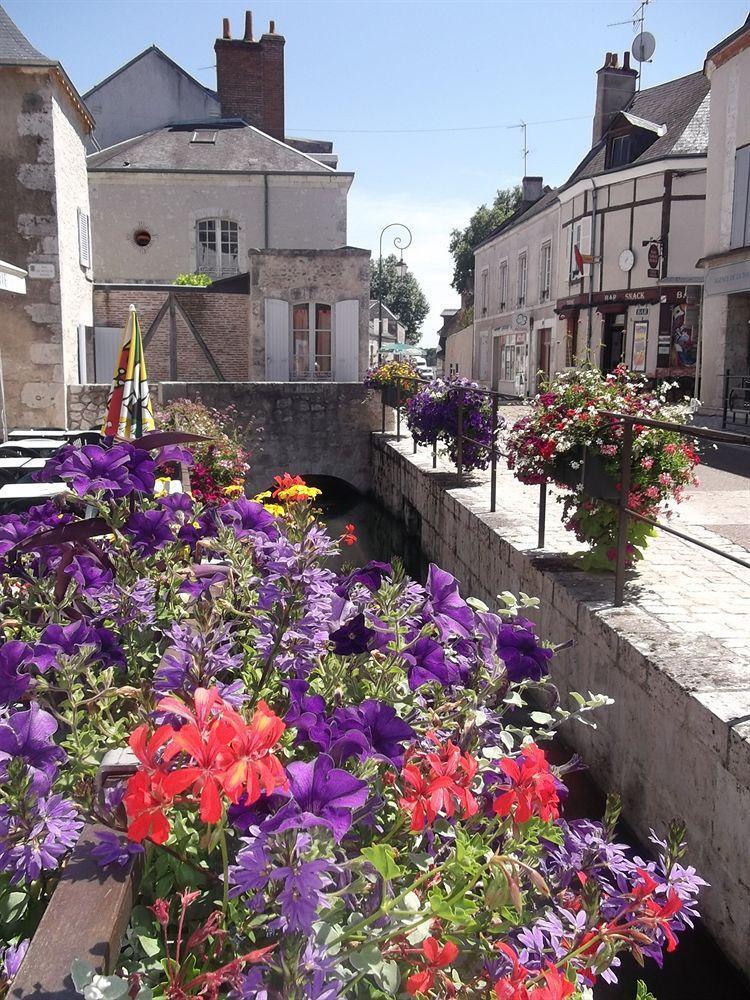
[(27, 736)]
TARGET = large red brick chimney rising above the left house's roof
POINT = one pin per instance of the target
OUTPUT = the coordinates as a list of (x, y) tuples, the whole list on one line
[(250, 77)]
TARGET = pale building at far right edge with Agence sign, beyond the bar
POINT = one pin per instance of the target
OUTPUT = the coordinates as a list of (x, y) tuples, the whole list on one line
[(726, 305)]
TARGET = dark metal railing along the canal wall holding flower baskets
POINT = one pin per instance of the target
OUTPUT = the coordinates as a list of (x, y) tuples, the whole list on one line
[(625, 513)]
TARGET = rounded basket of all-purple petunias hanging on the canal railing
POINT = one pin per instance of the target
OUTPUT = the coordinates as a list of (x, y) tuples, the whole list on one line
[(432, 417)]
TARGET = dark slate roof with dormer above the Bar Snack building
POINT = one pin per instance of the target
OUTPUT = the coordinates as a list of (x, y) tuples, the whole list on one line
[(680, 105)]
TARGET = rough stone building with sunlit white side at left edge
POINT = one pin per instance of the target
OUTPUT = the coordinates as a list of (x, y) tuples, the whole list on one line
[(44, 229)]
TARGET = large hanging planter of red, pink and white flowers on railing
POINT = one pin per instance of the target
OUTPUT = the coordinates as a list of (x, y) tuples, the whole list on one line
[(548, 446)]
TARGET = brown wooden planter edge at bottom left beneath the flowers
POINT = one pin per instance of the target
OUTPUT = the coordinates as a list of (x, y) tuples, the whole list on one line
[(86, 918)]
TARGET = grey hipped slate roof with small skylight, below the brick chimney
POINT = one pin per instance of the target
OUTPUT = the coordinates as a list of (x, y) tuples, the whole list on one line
[(237, 146)]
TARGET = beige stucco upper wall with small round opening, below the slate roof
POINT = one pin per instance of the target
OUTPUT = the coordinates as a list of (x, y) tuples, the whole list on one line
[(305, 212)]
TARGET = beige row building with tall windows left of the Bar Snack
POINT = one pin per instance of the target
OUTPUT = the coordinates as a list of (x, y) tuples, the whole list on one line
[(514, 294)]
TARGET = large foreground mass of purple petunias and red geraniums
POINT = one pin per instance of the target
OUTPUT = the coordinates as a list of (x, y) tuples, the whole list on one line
[(339, 780)]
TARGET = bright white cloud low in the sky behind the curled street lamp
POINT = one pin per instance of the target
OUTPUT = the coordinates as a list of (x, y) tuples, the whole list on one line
[(431, 223)]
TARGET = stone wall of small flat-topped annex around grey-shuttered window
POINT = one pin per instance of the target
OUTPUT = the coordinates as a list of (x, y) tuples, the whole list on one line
[(307, 276)]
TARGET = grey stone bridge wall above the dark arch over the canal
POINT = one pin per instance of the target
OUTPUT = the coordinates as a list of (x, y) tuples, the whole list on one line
[(299, 427)]
